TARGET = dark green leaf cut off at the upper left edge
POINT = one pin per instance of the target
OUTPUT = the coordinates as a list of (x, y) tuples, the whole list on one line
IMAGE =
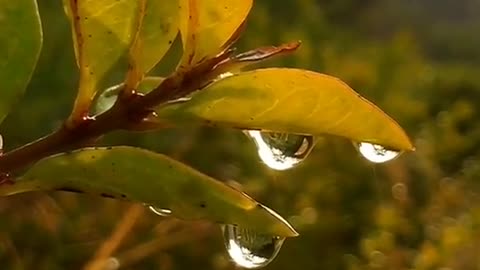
[(20, 45)]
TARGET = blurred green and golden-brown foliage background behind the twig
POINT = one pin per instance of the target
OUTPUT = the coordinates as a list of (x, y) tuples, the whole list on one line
[(418, 60)]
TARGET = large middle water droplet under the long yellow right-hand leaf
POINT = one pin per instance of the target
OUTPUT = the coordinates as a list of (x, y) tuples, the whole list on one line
[(281, 151)]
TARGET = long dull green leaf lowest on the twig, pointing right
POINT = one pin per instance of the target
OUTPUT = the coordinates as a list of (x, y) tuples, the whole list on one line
[(139, 175)]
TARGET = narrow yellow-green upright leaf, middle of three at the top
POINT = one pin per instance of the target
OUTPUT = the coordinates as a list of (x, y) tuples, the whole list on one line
[(157, 27)]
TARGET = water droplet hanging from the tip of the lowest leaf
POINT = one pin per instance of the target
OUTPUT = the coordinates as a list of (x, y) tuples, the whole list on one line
[(249, 249)]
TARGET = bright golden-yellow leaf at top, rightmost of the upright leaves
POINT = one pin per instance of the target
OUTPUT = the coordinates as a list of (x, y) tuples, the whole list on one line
[(207, 26)]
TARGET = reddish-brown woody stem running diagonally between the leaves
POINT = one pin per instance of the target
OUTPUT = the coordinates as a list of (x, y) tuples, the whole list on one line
[(123, 115)]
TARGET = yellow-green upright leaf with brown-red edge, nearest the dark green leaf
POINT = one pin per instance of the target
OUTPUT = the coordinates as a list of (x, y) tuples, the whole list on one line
[(102, 31)]
